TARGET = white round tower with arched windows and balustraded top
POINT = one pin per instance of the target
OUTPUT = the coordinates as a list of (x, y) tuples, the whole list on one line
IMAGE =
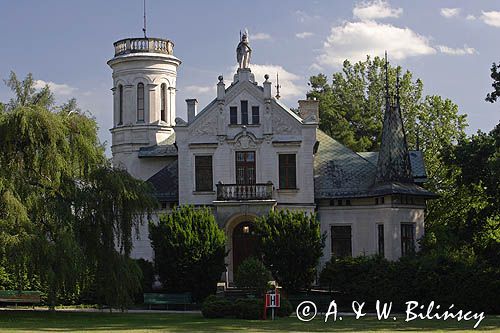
[(144, 80)]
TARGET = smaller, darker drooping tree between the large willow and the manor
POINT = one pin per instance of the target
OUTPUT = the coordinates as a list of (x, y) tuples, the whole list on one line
[(110, 207)]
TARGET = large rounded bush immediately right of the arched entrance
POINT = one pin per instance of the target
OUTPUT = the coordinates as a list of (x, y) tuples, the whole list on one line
[(291, 245)]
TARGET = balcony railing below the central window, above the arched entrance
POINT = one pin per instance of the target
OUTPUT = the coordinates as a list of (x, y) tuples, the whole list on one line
[(244, 192)]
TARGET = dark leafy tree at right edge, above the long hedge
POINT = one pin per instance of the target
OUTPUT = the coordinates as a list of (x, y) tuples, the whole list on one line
[(468, 213)]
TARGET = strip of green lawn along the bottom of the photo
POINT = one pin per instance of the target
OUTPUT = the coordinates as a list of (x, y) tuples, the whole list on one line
[(27, 321)]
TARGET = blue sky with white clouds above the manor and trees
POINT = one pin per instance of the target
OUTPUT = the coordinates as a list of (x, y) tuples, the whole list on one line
[(449, 45)]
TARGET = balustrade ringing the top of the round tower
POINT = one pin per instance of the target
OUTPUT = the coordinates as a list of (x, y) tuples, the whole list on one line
[(134, 45)]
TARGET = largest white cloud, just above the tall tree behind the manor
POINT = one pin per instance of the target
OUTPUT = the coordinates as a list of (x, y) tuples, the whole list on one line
[(355, 40)]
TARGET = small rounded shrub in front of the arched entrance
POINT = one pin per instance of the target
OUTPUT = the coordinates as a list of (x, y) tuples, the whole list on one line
[(252, 274)]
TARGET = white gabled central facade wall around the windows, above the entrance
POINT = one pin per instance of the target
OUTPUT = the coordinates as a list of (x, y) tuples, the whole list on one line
[(288, 134)]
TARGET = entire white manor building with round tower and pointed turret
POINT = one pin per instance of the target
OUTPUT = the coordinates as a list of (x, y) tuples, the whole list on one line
[(246, 153)]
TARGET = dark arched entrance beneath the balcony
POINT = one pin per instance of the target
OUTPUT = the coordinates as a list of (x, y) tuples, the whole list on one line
[(244, 243)]
